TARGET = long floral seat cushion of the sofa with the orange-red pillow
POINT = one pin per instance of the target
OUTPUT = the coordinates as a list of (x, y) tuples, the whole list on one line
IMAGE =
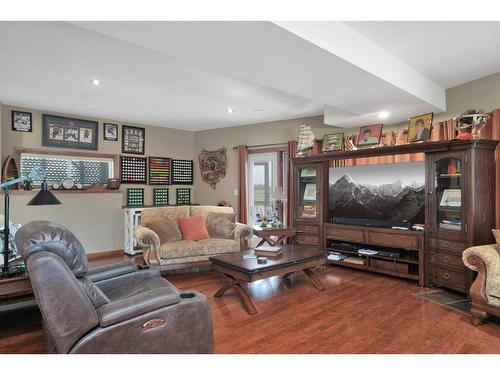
[(208, 247)]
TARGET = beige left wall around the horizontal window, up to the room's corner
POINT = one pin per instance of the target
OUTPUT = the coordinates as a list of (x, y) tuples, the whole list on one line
[(97, 219)]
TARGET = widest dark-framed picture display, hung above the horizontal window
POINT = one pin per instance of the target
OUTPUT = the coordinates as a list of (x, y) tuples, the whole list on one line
[(68, 132)]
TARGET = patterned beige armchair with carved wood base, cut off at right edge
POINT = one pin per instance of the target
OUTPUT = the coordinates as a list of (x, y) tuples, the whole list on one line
[(485, 291)]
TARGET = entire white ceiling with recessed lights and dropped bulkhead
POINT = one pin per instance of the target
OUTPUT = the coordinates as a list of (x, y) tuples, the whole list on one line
[(186, 74)]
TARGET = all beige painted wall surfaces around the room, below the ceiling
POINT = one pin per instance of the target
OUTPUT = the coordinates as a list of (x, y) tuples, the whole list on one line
[(99, 224)]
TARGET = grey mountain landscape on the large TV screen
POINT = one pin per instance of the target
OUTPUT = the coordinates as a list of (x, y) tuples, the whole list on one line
[(395, 201)]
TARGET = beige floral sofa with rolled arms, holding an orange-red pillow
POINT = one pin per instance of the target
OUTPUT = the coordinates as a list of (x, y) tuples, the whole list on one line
[(181, 252)]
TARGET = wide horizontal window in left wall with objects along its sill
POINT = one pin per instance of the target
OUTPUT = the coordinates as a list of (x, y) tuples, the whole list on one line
[(82, 169)]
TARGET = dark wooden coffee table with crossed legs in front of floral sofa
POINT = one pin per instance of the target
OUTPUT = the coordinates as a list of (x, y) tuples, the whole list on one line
[(237, 271)]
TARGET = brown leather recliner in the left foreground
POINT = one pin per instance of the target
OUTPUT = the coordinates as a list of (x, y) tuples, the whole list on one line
[(117, 309)]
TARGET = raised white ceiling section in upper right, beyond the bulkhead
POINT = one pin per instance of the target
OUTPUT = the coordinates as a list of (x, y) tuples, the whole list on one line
[(449, 53)]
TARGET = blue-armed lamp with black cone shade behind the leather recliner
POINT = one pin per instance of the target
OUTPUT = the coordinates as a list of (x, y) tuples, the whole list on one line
[(42, 198)]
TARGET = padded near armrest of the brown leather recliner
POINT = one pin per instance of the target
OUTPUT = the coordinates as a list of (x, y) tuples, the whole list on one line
[(139, 304)]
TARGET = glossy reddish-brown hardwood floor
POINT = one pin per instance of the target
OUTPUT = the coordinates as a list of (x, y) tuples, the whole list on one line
[(359, 312)]
